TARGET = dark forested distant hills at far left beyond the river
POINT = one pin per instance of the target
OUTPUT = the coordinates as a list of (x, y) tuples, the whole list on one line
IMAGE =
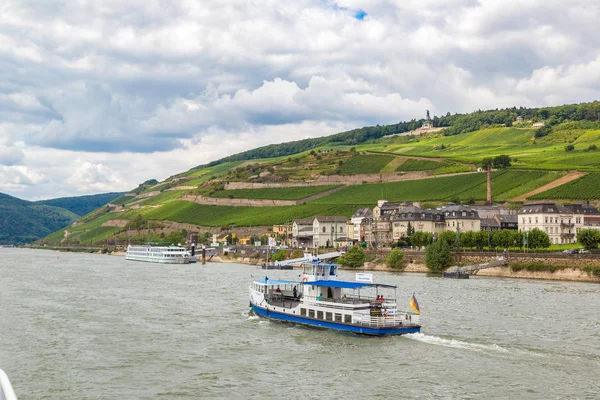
[(23, 221)]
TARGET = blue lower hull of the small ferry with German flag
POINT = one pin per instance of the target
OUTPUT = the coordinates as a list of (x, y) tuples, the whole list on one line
[(278, 316)]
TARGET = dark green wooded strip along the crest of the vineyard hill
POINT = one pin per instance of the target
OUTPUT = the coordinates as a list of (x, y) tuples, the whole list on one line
[(454, 123)]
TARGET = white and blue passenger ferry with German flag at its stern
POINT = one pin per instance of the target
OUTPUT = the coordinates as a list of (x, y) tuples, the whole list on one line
[(321, 300)]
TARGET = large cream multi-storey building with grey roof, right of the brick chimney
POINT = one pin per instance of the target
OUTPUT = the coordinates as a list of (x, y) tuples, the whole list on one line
[(560, 223)]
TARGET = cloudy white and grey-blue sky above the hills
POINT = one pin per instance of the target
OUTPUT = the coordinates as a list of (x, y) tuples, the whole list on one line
[(99, 96)]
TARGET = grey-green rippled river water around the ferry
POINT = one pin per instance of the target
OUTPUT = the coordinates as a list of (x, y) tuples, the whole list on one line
[(82, 326)]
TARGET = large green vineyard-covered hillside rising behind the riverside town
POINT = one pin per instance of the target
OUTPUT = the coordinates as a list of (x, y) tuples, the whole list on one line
[(340, 173)]
